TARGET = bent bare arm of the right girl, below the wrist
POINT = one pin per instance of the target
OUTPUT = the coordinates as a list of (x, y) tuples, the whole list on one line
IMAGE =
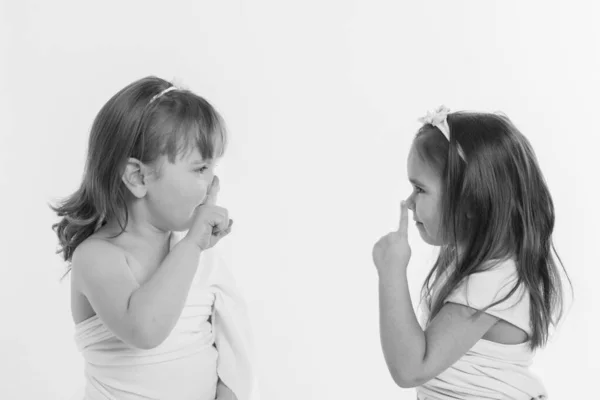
[(413, 356)]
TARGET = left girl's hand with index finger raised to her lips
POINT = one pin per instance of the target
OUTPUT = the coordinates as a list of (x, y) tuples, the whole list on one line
[(211, 222)]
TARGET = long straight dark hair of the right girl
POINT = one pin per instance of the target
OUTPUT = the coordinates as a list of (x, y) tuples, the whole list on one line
[(496, 205)]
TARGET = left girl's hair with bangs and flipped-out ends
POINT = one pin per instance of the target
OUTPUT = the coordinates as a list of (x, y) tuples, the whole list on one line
[(133, 123)]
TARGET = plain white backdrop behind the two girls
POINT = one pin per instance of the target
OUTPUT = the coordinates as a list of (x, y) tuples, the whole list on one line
[(321, 99)]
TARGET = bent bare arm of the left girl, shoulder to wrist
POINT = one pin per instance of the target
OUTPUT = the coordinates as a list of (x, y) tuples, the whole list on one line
[(142, 316)]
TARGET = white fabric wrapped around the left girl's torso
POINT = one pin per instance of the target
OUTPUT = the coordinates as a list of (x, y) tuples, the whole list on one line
[(211, 340)]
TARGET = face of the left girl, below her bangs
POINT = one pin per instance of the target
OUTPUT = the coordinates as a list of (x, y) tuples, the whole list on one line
[(178, 189)]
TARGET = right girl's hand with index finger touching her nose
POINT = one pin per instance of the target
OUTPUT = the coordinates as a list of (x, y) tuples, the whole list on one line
[(392, 252)]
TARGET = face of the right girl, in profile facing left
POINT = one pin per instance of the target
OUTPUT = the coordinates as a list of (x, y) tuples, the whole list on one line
[(424, 201)]
